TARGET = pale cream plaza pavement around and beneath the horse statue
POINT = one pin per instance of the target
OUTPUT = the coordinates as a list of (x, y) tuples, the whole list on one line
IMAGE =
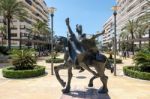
[(47, 86)]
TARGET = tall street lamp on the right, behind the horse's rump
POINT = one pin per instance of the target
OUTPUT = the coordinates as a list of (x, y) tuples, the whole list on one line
[(115, 8)]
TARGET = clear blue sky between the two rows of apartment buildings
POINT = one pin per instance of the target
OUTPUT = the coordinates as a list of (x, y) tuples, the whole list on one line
[(91, 14)]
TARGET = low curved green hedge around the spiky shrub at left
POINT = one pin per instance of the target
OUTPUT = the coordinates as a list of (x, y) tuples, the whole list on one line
[(10, 72)]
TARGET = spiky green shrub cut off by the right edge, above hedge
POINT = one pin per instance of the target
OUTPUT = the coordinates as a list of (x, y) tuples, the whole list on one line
[(142, 60)]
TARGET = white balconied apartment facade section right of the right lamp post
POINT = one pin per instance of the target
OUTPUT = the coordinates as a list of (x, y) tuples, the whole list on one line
[(129, 10)]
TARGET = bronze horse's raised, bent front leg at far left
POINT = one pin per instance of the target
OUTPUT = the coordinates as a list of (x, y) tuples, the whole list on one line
[(56, 69)]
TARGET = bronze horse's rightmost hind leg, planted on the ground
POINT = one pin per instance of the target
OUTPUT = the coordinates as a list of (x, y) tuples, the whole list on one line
[(100, 68)]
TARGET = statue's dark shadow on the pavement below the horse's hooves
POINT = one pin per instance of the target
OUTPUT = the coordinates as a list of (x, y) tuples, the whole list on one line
[(89, 93)]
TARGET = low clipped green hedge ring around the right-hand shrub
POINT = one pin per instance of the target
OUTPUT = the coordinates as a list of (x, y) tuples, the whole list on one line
[(129, 71)]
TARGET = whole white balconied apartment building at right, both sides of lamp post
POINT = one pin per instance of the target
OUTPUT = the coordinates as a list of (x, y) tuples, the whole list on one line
[(128, 10)]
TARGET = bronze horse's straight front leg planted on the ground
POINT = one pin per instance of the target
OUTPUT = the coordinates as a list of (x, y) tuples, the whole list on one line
[(67, 89)]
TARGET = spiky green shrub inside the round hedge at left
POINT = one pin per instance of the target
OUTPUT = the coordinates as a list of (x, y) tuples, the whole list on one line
[(23, 59)]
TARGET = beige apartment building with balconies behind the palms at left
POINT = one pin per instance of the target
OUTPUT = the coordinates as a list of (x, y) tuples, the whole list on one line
[(37, 10)]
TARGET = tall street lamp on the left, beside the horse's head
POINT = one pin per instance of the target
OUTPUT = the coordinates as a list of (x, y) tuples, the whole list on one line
[(51, 10)]
